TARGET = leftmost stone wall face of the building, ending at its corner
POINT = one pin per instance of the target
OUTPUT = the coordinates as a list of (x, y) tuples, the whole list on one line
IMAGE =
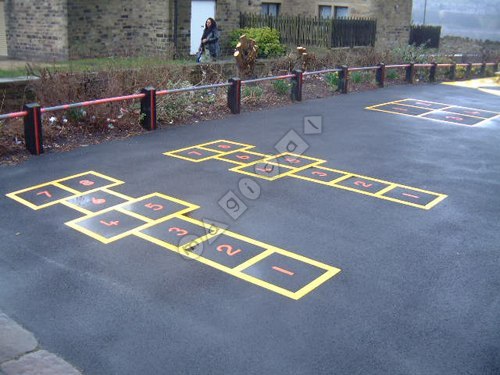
[(37, 32)]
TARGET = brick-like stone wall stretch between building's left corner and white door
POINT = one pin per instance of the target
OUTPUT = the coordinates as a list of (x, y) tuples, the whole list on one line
[(118, 27)]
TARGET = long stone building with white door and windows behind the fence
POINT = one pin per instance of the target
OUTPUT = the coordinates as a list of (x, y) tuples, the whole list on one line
[(54, 30)]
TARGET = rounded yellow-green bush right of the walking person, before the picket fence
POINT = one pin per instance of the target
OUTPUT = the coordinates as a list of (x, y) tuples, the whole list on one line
[(267, 39)]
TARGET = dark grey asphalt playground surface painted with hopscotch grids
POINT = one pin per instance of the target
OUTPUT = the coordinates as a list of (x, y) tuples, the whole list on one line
[(419, 286)]
